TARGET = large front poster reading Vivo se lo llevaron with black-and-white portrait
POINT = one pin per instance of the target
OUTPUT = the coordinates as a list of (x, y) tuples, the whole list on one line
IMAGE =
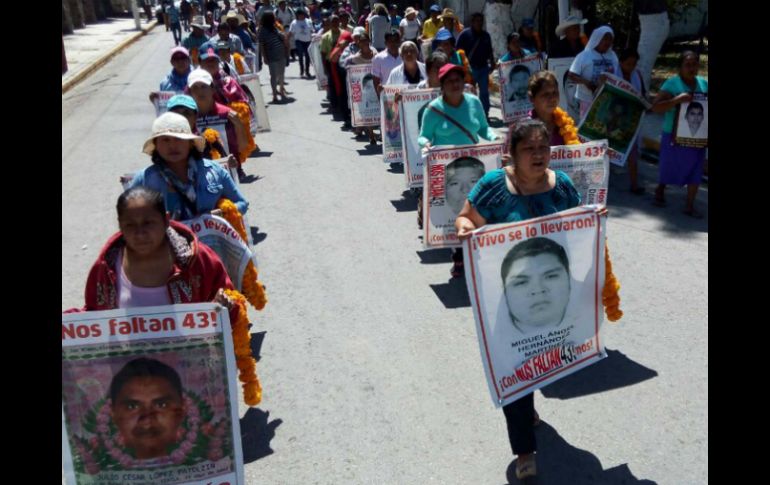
[(535, 288)]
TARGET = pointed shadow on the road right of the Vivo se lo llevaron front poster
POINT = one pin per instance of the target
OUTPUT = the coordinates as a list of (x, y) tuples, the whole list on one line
[(613, 372)]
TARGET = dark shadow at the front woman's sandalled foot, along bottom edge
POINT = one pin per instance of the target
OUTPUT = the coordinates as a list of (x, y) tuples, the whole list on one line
[(559, 463)]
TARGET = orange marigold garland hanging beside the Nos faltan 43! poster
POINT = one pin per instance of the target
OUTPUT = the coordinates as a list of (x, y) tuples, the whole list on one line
[(247, 366)]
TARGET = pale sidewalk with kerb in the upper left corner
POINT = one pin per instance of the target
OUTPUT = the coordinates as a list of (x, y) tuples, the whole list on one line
[(89, 48)]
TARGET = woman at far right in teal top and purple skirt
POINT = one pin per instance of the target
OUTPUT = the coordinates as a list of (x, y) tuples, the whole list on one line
[(680, 165)]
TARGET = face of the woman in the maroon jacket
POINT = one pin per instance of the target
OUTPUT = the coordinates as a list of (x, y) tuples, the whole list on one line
[(143, 228)]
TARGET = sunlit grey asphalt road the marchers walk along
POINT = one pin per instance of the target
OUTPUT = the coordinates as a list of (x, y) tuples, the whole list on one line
[(369, 359)]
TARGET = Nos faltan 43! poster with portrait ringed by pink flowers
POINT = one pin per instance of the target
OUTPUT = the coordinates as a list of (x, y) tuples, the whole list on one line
[(149, 396)]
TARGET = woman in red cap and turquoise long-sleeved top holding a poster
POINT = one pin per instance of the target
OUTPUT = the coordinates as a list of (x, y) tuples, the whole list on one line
[(455, 118)]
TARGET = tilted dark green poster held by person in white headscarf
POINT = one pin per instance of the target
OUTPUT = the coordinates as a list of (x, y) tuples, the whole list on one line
[(615, 115)]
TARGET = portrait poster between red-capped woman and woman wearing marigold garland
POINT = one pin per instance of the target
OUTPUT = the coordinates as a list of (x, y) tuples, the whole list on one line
[(513, 77)]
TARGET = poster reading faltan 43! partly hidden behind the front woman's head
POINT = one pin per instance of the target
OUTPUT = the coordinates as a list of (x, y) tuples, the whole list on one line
[(588, 166)]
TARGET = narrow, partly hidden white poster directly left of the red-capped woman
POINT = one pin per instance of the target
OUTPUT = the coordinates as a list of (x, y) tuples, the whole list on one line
[(411, 108)]
